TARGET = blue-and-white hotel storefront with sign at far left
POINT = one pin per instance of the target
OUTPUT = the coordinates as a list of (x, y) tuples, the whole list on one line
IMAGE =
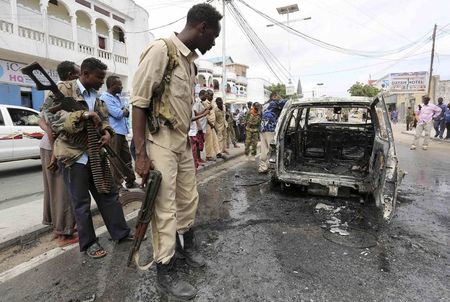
[(18, 89)]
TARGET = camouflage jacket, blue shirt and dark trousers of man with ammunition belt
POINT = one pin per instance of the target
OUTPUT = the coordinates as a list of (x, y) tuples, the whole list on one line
[(76, 169)]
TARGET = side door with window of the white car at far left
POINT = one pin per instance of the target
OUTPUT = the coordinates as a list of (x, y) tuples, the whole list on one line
[(28, 133)]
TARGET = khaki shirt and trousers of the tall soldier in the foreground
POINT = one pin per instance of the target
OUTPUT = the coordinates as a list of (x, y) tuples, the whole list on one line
[(169, 148)]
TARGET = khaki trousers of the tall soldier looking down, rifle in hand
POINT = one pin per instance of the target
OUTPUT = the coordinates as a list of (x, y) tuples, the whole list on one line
[(177, 199)]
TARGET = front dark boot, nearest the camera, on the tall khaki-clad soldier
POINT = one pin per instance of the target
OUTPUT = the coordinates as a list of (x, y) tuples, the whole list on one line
[(170, 284)]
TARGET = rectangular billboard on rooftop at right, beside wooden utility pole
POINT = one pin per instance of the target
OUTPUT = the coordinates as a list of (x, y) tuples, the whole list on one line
[(408, 82)]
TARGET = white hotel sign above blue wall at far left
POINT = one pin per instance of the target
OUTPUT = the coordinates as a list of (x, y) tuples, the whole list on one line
[(10, 73)]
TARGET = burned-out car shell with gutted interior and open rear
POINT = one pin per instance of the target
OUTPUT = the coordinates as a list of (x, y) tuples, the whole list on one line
[(338, 147)]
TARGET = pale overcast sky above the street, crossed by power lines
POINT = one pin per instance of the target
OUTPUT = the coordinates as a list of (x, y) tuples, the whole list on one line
[(361, 25)]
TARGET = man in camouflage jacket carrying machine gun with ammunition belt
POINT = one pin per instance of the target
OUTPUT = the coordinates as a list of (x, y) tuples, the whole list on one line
[(73, 157)]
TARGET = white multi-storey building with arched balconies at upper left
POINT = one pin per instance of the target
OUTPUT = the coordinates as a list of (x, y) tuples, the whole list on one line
[(51, 31)]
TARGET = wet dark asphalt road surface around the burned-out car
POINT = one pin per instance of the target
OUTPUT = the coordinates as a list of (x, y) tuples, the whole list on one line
[(267, 245)]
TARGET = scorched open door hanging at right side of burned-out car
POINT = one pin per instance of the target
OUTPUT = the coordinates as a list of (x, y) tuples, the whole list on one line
[(384, 164)]
